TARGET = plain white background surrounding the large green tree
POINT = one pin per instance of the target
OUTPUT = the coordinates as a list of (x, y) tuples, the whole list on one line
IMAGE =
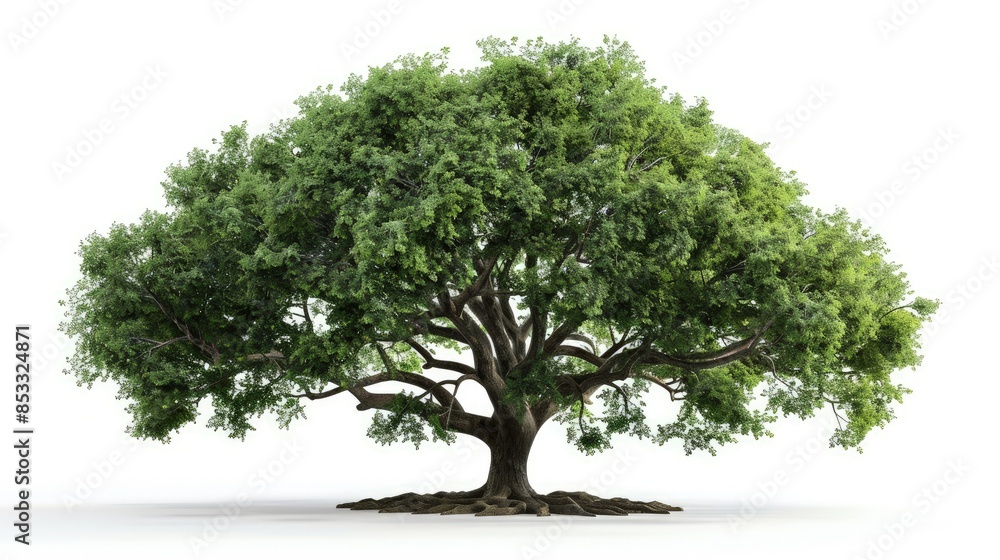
[(867, 90)]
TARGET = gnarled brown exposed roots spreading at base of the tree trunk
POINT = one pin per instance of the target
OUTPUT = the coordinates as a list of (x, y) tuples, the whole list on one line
[(503, 503)]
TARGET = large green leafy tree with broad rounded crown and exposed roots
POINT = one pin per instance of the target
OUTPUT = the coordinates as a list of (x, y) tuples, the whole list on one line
[(556, 222)]
